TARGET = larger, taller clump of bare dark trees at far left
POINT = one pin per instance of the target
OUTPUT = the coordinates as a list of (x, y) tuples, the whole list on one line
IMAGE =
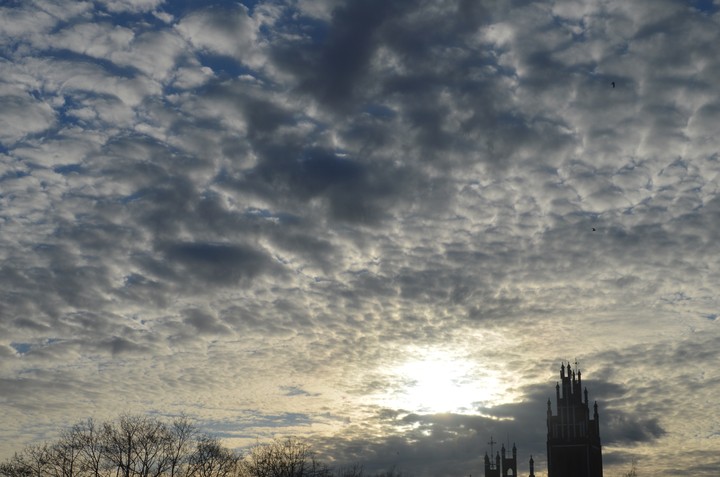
[(132, 446)]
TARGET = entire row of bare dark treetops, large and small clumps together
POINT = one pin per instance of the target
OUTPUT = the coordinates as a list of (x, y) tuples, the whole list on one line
[(140, 446)]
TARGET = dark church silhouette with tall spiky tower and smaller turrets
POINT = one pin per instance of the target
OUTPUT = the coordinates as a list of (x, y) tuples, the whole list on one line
[(573, 436)]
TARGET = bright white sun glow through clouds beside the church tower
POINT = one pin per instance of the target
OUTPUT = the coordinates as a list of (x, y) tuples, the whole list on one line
[(441, 381)]
